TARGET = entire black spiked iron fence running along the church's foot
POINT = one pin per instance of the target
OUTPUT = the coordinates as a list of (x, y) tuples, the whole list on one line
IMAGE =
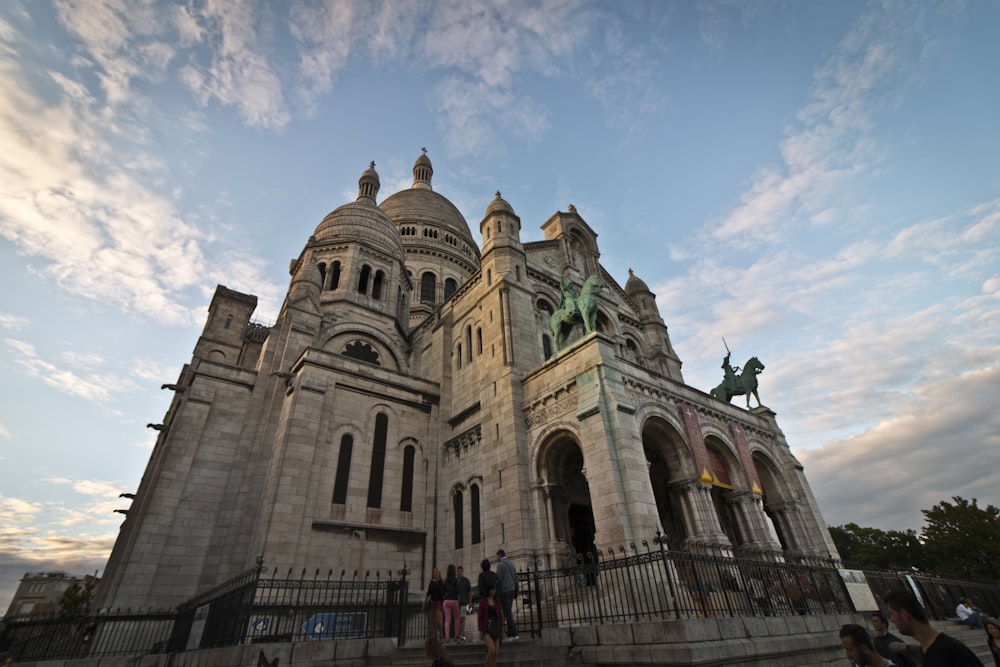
[(622, 585)]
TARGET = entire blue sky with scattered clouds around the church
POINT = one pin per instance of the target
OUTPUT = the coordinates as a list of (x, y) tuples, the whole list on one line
[(817, 182)]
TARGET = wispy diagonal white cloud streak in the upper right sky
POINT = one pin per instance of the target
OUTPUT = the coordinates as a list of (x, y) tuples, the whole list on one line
[(831, 144)]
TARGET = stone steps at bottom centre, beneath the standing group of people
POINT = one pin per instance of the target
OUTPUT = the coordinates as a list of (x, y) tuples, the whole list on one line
[(522, 653)]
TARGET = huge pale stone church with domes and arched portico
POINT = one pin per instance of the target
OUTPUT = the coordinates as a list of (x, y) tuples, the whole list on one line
[(412, 405)]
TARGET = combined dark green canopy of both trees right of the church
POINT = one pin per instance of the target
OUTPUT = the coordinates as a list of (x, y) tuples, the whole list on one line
[(959, 540)]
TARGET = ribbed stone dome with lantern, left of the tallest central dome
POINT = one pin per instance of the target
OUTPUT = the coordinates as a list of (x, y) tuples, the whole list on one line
[(362, 220)]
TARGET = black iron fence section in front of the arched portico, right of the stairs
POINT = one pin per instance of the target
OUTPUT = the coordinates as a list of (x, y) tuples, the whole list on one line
[(652, 582)]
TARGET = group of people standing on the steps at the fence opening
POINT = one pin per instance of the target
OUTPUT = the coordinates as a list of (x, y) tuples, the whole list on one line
[(449, 601)]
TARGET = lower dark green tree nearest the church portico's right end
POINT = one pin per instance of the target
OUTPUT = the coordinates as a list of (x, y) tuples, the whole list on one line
[(876, 549)]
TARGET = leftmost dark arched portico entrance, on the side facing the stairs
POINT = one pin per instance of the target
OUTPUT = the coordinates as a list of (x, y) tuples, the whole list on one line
[(570, 512)]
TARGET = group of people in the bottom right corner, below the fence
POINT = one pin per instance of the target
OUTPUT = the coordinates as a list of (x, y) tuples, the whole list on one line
[(933, 648)]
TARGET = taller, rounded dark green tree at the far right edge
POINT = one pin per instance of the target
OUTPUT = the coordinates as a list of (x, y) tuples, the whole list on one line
[(962, 540)]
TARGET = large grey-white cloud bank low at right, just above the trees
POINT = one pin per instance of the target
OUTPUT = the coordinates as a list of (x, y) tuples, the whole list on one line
[(944, 443)]
